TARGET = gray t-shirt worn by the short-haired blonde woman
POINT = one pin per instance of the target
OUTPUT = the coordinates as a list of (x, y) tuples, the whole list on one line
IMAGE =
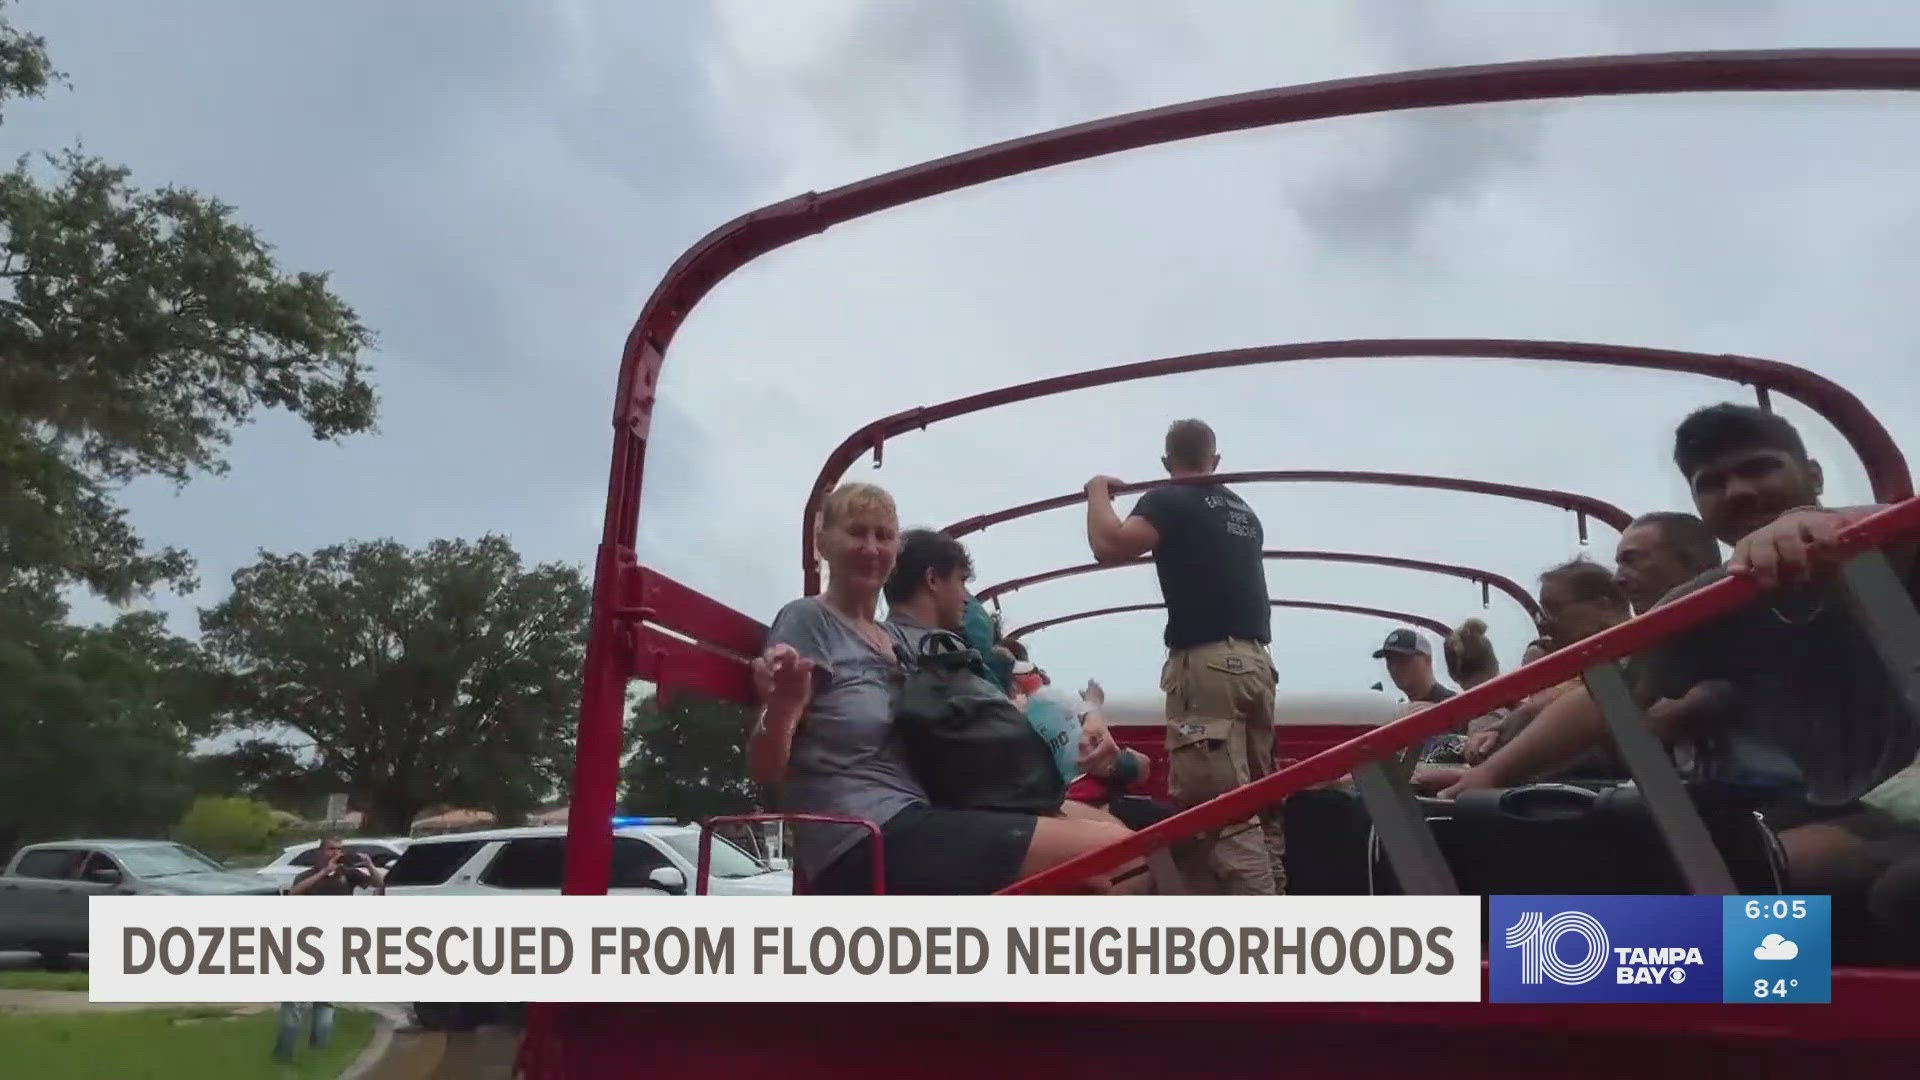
[(846, 756)]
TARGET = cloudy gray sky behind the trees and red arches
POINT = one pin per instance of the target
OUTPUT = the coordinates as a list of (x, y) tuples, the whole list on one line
[(500, 185)]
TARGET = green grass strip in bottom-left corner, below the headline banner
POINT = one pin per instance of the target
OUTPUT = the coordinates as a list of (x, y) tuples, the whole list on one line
[(170, 1044)]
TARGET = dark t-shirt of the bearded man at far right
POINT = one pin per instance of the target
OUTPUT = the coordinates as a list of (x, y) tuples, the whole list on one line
[(1813, 704)]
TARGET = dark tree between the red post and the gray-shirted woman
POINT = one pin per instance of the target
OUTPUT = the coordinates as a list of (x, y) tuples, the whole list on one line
[(690, 758)]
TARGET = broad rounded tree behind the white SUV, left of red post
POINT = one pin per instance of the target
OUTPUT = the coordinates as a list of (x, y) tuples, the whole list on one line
[(441, 675)]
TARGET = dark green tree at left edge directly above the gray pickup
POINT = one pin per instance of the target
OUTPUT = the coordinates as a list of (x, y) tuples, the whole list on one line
[(95, 722)]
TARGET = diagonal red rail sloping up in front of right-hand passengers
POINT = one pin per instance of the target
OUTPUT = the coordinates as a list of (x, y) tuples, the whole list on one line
[(1516, 685)]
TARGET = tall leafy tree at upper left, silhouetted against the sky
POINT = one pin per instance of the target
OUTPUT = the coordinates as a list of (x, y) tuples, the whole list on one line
[(139, 330)]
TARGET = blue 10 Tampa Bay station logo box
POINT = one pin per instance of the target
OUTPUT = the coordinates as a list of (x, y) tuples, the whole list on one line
[(1606, 948)]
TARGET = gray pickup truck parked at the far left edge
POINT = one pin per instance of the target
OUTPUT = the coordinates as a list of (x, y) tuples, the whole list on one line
[(45, 889)]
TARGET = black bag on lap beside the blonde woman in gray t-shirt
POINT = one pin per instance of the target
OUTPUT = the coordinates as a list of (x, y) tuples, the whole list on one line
[(967, 743)]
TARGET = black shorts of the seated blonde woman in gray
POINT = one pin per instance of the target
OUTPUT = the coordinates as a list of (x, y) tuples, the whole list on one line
[(936, 852)]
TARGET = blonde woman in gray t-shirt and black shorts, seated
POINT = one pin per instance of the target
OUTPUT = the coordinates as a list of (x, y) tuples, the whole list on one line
[(827, 733)]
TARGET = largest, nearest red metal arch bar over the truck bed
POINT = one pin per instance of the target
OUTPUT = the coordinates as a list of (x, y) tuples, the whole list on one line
[(744, 239)]
